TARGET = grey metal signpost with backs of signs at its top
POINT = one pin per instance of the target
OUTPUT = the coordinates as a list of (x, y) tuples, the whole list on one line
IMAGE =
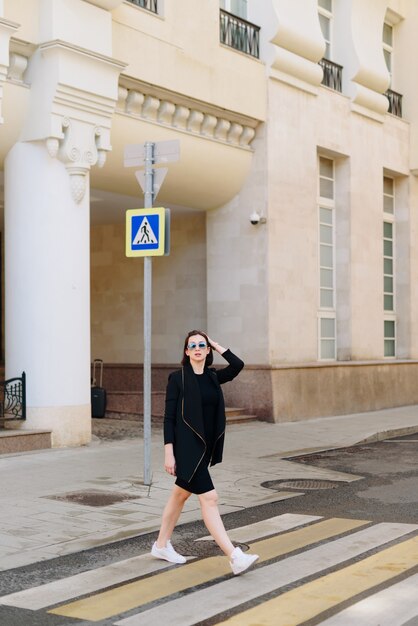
[(147, 155)]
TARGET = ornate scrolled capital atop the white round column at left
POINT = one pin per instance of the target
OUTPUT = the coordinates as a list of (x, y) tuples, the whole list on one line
[(73, 97)]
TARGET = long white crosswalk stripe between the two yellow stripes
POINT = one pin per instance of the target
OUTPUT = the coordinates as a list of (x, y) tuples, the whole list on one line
[(206, 603)]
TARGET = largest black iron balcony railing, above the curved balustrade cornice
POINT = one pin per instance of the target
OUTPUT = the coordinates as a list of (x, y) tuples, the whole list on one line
[(239, 34)]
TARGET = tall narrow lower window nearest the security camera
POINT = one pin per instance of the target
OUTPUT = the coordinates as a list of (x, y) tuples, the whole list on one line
[(327, 316)]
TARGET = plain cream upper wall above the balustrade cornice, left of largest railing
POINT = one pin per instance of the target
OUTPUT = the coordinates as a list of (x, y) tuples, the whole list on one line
[(182, 53)]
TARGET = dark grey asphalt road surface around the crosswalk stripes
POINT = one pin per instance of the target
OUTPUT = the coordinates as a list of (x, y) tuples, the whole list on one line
[(386, 491)]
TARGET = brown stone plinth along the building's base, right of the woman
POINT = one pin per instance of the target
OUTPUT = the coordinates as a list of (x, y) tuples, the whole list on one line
[(294, 393)]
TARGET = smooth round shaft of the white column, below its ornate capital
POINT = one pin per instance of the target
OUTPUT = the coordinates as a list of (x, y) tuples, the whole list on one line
[(47, 267)]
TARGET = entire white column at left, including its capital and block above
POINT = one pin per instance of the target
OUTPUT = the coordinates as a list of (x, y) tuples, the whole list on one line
[(74, 90)]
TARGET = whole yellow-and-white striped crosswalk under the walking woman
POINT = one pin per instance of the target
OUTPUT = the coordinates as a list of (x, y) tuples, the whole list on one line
[(351, 572)]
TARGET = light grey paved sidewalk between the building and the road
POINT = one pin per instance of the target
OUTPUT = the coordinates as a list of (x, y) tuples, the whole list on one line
[(34, 526)]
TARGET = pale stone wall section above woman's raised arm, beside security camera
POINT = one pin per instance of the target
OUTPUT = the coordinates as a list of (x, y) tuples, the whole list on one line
[(237, 266)]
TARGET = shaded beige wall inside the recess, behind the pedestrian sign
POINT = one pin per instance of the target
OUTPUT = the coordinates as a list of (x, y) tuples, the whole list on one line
[(179, 293)]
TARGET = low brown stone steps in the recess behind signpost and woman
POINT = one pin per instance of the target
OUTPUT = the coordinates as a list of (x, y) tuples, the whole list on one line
[(129, 405)]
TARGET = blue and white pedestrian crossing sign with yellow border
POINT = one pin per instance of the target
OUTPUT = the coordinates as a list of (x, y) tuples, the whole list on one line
[(145, 232)]
